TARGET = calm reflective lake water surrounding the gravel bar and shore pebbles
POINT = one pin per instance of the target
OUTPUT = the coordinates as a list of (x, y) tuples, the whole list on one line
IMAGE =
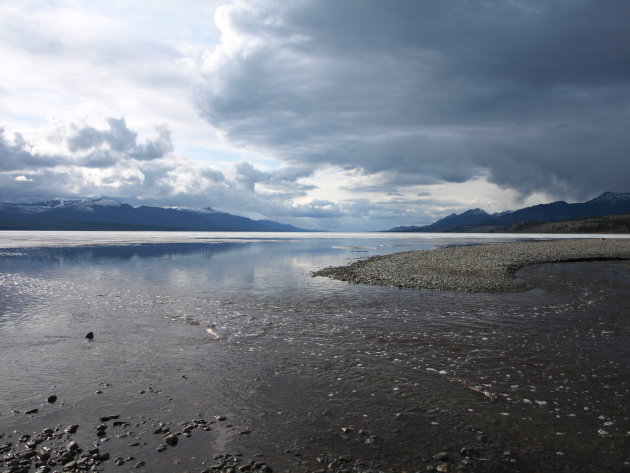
[(307, 370)]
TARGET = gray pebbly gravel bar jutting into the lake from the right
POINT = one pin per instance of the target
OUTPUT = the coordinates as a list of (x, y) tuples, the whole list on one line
[(478, 268)]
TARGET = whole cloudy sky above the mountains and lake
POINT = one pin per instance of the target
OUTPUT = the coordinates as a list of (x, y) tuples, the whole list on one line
[(326, 114)]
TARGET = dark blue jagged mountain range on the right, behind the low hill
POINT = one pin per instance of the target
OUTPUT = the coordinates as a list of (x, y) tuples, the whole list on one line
[(478, 220)]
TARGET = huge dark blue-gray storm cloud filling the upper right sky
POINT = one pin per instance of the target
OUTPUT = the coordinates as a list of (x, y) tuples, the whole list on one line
[(532, 93)]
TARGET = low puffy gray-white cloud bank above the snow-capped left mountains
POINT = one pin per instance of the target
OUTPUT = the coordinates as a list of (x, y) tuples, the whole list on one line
[(110, 161)]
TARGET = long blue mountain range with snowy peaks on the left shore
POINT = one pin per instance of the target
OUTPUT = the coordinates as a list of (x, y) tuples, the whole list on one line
[(105, 214)]
